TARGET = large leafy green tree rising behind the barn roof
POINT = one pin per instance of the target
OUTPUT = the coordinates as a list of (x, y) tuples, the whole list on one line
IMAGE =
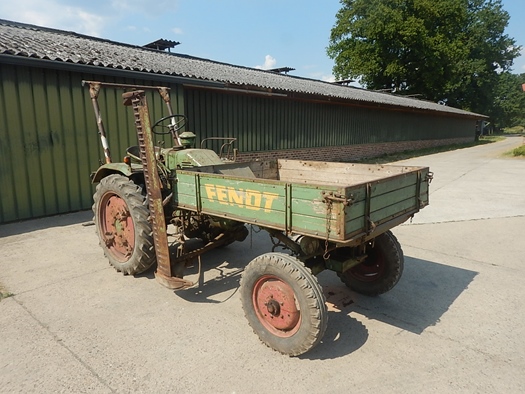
[(450, 51)]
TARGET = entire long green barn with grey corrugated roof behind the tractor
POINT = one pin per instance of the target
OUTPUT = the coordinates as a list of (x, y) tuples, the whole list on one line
[(48, 134)]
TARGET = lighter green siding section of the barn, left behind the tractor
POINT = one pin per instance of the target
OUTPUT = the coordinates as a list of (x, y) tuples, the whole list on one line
[(49, 138)]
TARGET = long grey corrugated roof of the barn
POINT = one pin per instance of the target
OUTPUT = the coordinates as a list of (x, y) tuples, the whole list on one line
[(24, 40)]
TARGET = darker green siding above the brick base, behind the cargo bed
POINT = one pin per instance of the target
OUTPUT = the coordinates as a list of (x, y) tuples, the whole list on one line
[(271, 123)]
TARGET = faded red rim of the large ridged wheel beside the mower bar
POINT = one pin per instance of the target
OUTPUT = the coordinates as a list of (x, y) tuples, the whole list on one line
[(116, 227)]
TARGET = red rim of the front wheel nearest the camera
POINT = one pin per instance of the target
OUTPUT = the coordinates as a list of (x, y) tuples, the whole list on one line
[(276, 306)]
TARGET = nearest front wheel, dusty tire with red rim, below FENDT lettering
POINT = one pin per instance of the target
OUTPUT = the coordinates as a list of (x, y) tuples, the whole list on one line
[(283, 303)]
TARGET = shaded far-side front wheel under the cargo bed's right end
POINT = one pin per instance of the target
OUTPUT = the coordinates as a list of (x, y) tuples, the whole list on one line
[(381, 270)]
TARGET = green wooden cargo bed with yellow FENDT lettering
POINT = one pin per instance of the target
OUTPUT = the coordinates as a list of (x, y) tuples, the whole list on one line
[(341, 202)]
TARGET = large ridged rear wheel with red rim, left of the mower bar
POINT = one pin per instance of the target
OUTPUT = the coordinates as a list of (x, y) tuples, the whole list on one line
[(121, 222)]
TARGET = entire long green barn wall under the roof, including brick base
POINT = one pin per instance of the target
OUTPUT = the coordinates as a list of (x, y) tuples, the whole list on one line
[(49, 138)]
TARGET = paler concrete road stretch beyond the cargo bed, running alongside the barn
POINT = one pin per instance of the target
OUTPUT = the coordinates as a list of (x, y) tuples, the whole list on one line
[(474, 183)]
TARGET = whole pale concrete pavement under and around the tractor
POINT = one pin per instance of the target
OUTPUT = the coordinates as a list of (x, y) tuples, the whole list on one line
[(453, 324)]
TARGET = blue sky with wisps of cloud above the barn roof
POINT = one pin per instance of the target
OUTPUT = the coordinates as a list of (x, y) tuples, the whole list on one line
[(252, 33)]
